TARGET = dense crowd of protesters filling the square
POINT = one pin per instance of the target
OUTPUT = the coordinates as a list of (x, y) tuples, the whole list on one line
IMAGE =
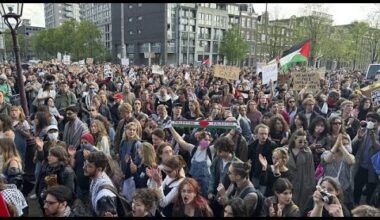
[(105, 143)]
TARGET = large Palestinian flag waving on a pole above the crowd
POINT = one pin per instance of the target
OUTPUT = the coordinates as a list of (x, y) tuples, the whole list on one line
[(298, 53)]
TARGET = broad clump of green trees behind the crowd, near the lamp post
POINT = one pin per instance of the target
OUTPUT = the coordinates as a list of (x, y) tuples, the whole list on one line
[(79, 39)]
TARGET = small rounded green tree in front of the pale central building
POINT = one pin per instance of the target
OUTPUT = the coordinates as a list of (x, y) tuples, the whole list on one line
[(234, 46)]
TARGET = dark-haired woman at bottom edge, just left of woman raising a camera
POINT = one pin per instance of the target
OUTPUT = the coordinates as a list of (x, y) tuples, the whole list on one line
[(281, 204)]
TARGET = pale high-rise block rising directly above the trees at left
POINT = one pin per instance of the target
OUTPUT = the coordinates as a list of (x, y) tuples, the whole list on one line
[(57, 13)]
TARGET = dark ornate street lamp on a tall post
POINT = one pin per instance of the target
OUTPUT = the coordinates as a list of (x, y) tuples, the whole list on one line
[(8, 15)]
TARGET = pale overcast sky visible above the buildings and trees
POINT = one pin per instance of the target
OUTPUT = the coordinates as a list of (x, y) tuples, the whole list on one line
[(343, 13)]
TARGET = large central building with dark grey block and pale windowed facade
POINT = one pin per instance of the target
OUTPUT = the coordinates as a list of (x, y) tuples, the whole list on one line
[(178, 33)]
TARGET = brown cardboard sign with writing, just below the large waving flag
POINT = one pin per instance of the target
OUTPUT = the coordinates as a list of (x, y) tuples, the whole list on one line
[(300, 79)]
